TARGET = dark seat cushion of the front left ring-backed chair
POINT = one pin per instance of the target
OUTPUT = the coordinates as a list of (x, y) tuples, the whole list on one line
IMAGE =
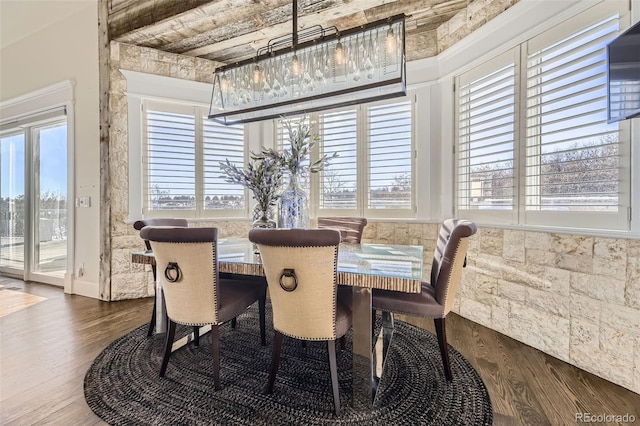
[(235, 296)]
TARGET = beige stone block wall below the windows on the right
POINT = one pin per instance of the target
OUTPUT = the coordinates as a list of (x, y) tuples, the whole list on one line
[(576, 298)]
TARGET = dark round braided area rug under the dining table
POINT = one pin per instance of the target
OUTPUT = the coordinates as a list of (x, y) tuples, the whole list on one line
[(123, 386)]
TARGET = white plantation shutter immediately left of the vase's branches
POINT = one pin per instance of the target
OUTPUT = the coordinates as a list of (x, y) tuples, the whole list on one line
[(220, 143)]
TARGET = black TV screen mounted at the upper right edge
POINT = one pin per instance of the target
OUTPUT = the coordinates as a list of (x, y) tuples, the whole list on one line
[(623, 79)]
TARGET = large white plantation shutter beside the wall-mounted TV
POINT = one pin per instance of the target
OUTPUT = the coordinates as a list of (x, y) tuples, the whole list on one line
[(572, 155)]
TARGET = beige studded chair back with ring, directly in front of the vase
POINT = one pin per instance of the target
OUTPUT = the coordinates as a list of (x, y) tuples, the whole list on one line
[(308, 310)]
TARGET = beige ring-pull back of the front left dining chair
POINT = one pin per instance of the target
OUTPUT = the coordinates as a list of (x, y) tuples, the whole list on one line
[(188, 256)]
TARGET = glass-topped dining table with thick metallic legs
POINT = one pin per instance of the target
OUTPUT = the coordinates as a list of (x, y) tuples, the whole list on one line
[(363, 267)]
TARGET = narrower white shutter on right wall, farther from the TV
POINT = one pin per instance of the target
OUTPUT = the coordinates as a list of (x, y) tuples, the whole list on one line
[(486, 133)]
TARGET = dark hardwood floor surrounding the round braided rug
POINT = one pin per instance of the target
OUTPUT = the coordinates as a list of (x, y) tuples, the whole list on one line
[(47, 347)]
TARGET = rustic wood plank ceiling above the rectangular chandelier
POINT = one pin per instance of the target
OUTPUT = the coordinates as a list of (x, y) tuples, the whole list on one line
[(228, 31)]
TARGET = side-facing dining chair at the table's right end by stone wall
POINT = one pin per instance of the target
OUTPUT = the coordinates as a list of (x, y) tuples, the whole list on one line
[(437, 296)]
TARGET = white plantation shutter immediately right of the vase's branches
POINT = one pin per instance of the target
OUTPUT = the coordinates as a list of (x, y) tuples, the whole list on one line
[(339, 179)]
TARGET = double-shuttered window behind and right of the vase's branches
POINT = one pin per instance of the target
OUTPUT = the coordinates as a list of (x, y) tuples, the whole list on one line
[(378, 136)]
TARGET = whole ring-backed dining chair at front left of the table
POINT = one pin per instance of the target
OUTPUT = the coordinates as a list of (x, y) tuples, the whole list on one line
[(194, 294)]
